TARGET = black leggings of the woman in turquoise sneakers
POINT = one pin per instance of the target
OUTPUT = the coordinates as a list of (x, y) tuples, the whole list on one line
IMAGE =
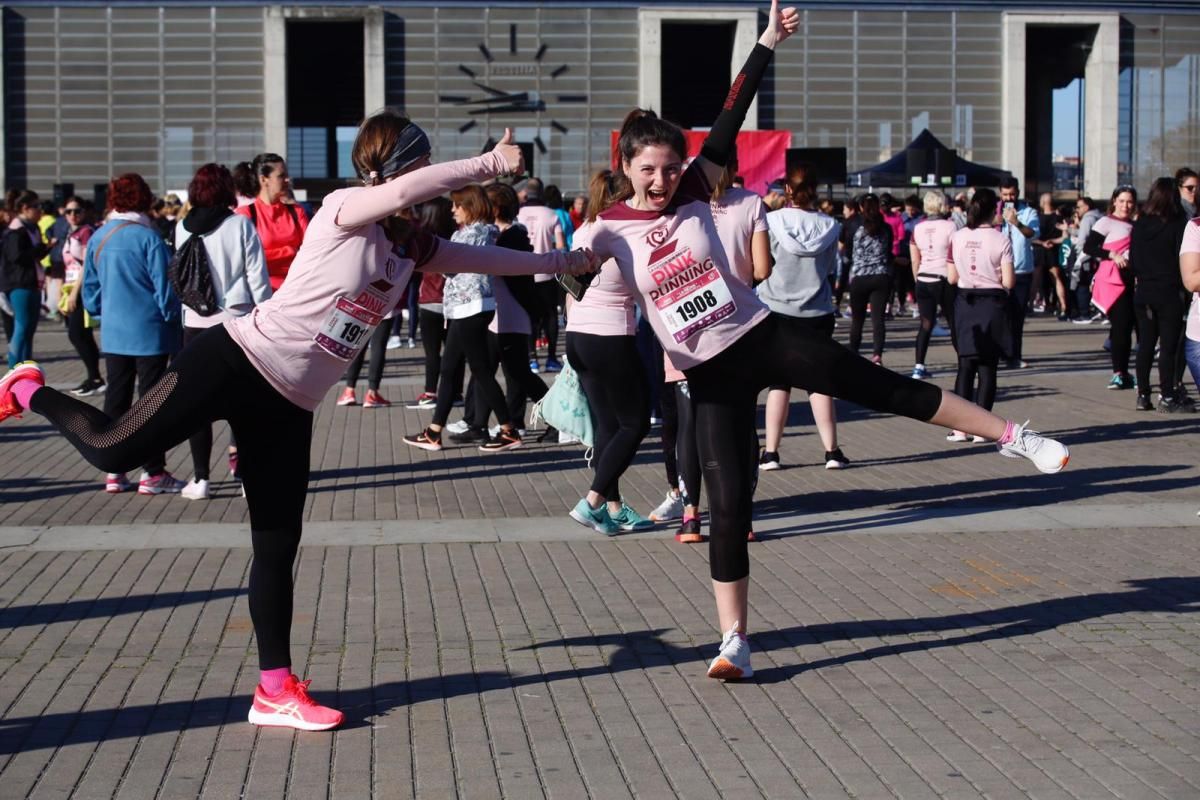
[(617, 392)]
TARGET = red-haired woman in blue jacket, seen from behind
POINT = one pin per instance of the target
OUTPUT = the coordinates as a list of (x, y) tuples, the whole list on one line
[(125, 284)]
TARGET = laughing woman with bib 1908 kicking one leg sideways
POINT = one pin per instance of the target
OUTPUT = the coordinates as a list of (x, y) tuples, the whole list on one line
[(662, 236)]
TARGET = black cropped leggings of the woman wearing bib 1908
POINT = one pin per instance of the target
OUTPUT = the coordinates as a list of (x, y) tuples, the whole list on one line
[(725, 392)]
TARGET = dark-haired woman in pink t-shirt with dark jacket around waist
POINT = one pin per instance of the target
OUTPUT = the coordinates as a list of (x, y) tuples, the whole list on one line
[(980, 263)]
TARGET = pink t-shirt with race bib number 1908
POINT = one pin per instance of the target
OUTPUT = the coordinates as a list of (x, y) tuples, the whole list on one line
[(676, 266)]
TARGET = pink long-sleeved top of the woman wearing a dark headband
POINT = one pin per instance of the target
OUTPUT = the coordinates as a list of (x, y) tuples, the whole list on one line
[(349, 276)]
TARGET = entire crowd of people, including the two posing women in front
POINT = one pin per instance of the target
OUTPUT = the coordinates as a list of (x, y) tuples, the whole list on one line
[(241, 306)]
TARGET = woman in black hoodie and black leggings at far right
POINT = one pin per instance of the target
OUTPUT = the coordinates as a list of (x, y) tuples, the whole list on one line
[(1160, 298)]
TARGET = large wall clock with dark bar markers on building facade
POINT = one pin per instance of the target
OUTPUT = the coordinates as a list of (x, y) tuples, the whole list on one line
[(483, 99)]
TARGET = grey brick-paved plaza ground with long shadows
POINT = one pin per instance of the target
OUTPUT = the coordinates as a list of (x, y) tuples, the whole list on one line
[(935, 622)]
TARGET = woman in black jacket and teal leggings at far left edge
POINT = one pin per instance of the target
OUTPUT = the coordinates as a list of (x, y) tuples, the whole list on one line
[(21, 274)]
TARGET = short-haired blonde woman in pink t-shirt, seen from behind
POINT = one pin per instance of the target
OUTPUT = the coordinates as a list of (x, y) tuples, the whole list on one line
[(929, 250)]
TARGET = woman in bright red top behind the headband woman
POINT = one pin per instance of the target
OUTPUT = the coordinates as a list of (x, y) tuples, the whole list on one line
[(280, 224)]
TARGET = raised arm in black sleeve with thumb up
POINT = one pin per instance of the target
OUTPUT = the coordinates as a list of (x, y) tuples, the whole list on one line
[(724, 134)]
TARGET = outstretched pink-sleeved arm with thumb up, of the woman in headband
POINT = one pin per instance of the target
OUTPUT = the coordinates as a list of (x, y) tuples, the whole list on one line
[(376, 203)]
